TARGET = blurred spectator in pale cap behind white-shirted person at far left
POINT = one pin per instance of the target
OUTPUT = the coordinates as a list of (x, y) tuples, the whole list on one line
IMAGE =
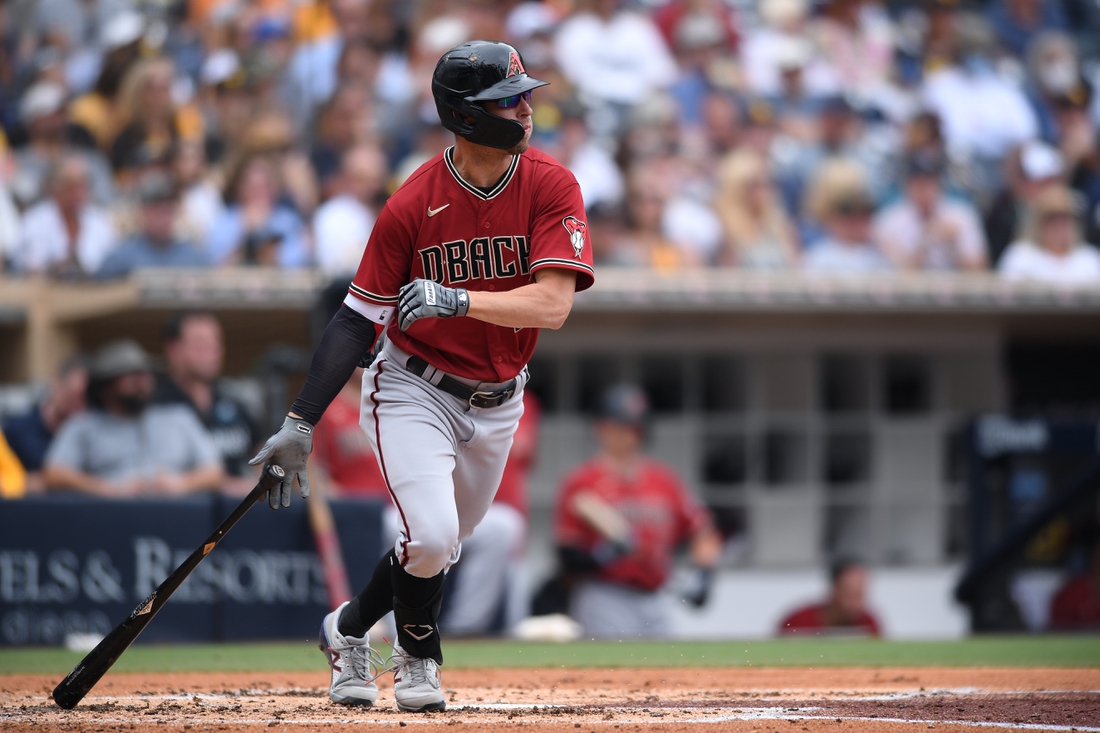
[(42, 113)]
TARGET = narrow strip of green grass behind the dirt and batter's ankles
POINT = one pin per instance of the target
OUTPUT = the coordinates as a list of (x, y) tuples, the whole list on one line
[(981, 652)]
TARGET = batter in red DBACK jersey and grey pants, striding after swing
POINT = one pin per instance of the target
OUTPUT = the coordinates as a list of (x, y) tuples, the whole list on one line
[(483, 246)]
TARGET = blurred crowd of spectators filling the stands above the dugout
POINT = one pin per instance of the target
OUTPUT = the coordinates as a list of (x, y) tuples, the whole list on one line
[(831, 136)]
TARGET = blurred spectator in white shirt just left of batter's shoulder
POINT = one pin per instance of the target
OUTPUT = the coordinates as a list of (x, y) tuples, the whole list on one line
[(344, 224)]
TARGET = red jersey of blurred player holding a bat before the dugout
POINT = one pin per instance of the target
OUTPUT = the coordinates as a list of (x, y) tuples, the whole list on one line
[(662, 513)]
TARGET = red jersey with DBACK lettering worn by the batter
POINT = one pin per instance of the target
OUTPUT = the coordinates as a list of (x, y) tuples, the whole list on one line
[(439, 227)]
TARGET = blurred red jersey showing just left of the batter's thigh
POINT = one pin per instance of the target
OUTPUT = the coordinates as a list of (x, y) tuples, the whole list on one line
[(344, 451)]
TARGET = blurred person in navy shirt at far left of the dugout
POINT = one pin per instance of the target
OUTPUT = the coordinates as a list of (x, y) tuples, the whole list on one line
[(30, 434)]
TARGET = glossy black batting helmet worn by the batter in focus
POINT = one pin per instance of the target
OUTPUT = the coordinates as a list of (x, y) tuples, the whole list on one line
[(475, 73)]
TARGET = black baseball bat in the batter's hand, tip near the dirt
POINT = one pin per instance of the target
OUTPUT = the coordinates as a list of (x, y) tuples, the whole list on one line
[(71, 691)]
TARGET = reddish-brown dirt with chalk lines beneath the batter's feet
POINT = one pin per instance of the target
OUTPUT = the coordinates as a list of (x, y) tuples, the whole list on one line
[(854, 701)]
